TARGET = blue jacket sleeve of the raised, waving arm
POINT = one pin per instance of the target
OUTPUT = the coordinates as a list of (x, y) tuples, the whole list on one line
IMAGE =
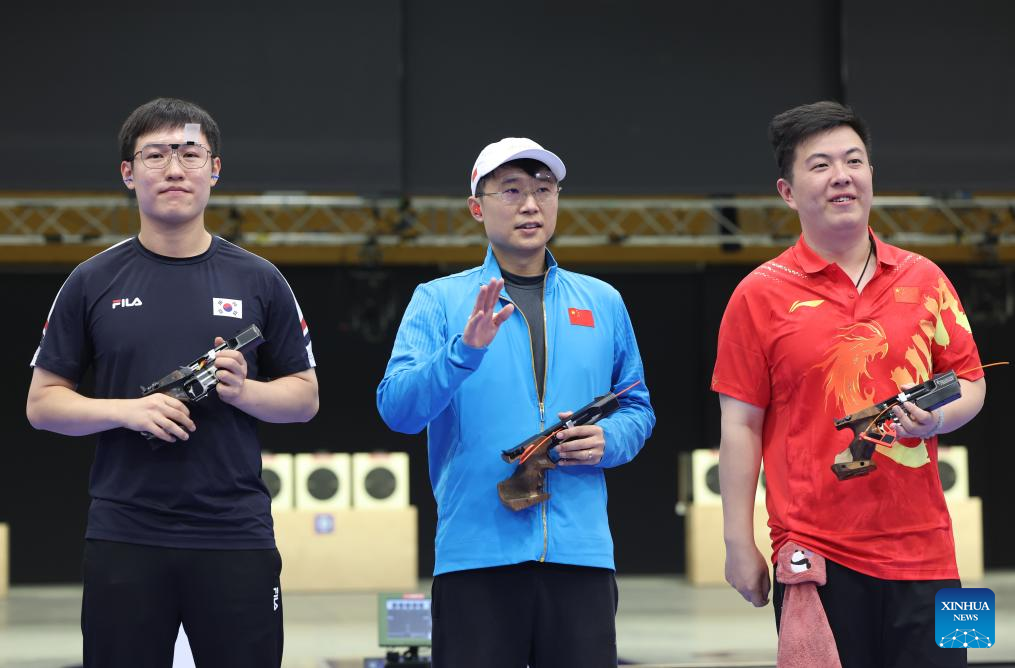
[(427, 367)]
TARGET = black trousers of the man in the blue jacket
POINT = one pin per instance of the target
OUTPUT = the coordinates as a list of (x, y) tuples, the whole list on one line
[(543, 616)]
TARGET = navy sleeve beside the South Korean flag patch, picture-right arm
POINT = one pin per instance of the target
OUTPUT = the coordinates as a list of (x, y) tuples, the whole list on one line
[(287, 349)]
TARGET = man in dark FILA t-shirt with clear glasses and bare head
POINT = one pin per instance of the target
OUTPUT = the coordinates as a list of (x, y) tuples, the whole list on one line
[(180, 533)]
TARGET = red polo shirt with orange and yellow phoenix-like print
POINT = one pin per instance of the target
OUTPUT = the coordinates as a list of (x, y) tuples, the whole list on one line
[(798, 341)]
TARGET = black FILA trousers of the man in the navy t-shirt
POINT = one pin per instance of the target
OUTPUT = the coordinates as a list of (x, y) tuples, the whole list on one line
[(137, 596)]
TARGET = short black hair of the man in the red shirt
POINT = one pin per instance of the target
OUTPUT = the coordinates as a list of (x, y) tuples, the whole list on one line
[(791, 128)]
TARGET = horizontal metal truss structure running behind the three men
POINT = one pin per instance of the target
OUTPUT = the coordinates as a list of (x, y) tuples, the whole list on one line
[(351, 230)]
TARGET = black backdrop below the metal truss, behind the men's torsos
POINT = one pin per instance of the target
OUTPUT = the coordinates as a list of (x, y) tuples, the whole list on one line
[(354, 315)]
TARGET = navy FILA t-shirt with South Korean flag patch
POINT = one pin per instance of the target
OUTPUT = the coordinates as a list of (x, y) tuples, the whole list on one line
[(132, 317)]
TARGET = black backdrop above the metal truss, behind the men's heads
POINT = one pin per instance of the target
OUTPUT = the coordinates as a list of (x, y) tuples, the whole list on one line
[(399, 96)]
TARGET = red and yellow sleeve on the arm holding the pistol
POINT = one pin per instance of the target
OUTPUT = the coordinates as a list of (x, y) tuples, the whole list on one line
[(953, 347)]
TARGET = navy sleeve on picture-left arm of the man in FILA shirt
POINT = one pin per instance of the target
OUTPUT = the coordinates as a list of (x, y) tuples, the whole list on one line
[(65, 349)]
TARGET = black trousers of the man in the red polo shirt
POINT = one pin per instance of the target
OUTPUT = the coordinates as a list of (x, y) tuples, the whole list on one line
[(882, 624)]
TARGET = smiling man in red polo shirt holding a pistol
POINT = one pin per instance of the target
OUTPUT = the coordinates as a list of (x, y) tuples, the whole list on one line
[(835, 324)]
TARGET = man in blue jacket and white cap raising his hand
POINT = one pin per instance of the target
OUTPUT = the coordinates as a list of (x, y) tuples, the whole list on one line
[(534, 587)]
